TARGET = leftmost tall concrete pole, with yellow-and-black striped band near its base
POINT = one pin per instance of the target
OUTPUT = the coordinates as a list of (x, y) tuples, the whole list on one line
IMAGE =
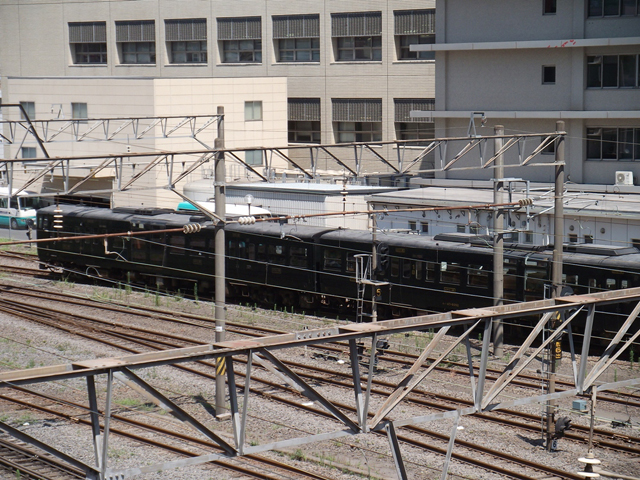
[(220, 273)]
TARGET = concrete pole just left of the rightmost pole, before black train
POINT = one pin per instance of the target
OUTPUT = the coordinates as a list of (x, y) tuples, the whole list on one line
[(498, 242)]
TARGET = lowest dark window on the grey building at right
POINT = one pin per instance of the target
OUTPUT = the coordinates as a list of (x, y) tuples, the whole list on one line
[(611, 143)]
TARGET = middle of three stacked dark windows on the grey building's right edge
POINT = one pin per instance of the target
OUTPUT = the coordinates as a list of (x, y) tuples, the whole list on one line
[(612, 71)]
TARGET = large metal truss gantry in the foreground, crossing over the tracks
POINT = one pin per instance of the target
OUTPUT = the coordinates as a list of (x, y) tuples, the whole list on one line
[(388, 418)]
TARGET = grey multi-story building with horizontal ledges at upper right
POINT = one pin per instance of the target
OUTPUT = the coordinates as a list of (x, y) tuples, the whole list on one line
[(526, 64)]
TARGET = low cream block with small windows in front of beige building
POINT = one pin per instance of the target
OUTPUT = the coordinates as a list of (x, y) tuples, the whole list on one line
[(139, 97)]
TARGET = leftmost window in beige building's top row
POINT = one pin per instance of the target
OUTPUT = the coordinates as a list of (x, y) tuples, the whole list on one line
[(88, 42)]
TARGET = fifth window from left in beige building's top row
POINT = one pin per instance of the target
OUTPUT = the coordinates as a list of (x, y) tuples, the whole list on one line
[(297, 38)]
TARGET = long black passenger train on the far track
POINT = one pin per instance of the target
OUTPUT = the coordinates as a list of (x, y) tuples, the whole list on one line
[(311, 268)]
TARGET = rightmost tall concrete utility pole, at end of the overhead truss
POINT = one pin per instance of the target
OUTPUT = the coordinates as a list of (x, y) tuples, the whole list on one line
[(556, 272)]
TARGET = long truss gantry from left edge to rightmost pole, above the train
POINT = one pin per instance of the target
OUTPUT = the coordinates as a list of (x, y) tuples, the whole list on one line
[(76, 171)]
